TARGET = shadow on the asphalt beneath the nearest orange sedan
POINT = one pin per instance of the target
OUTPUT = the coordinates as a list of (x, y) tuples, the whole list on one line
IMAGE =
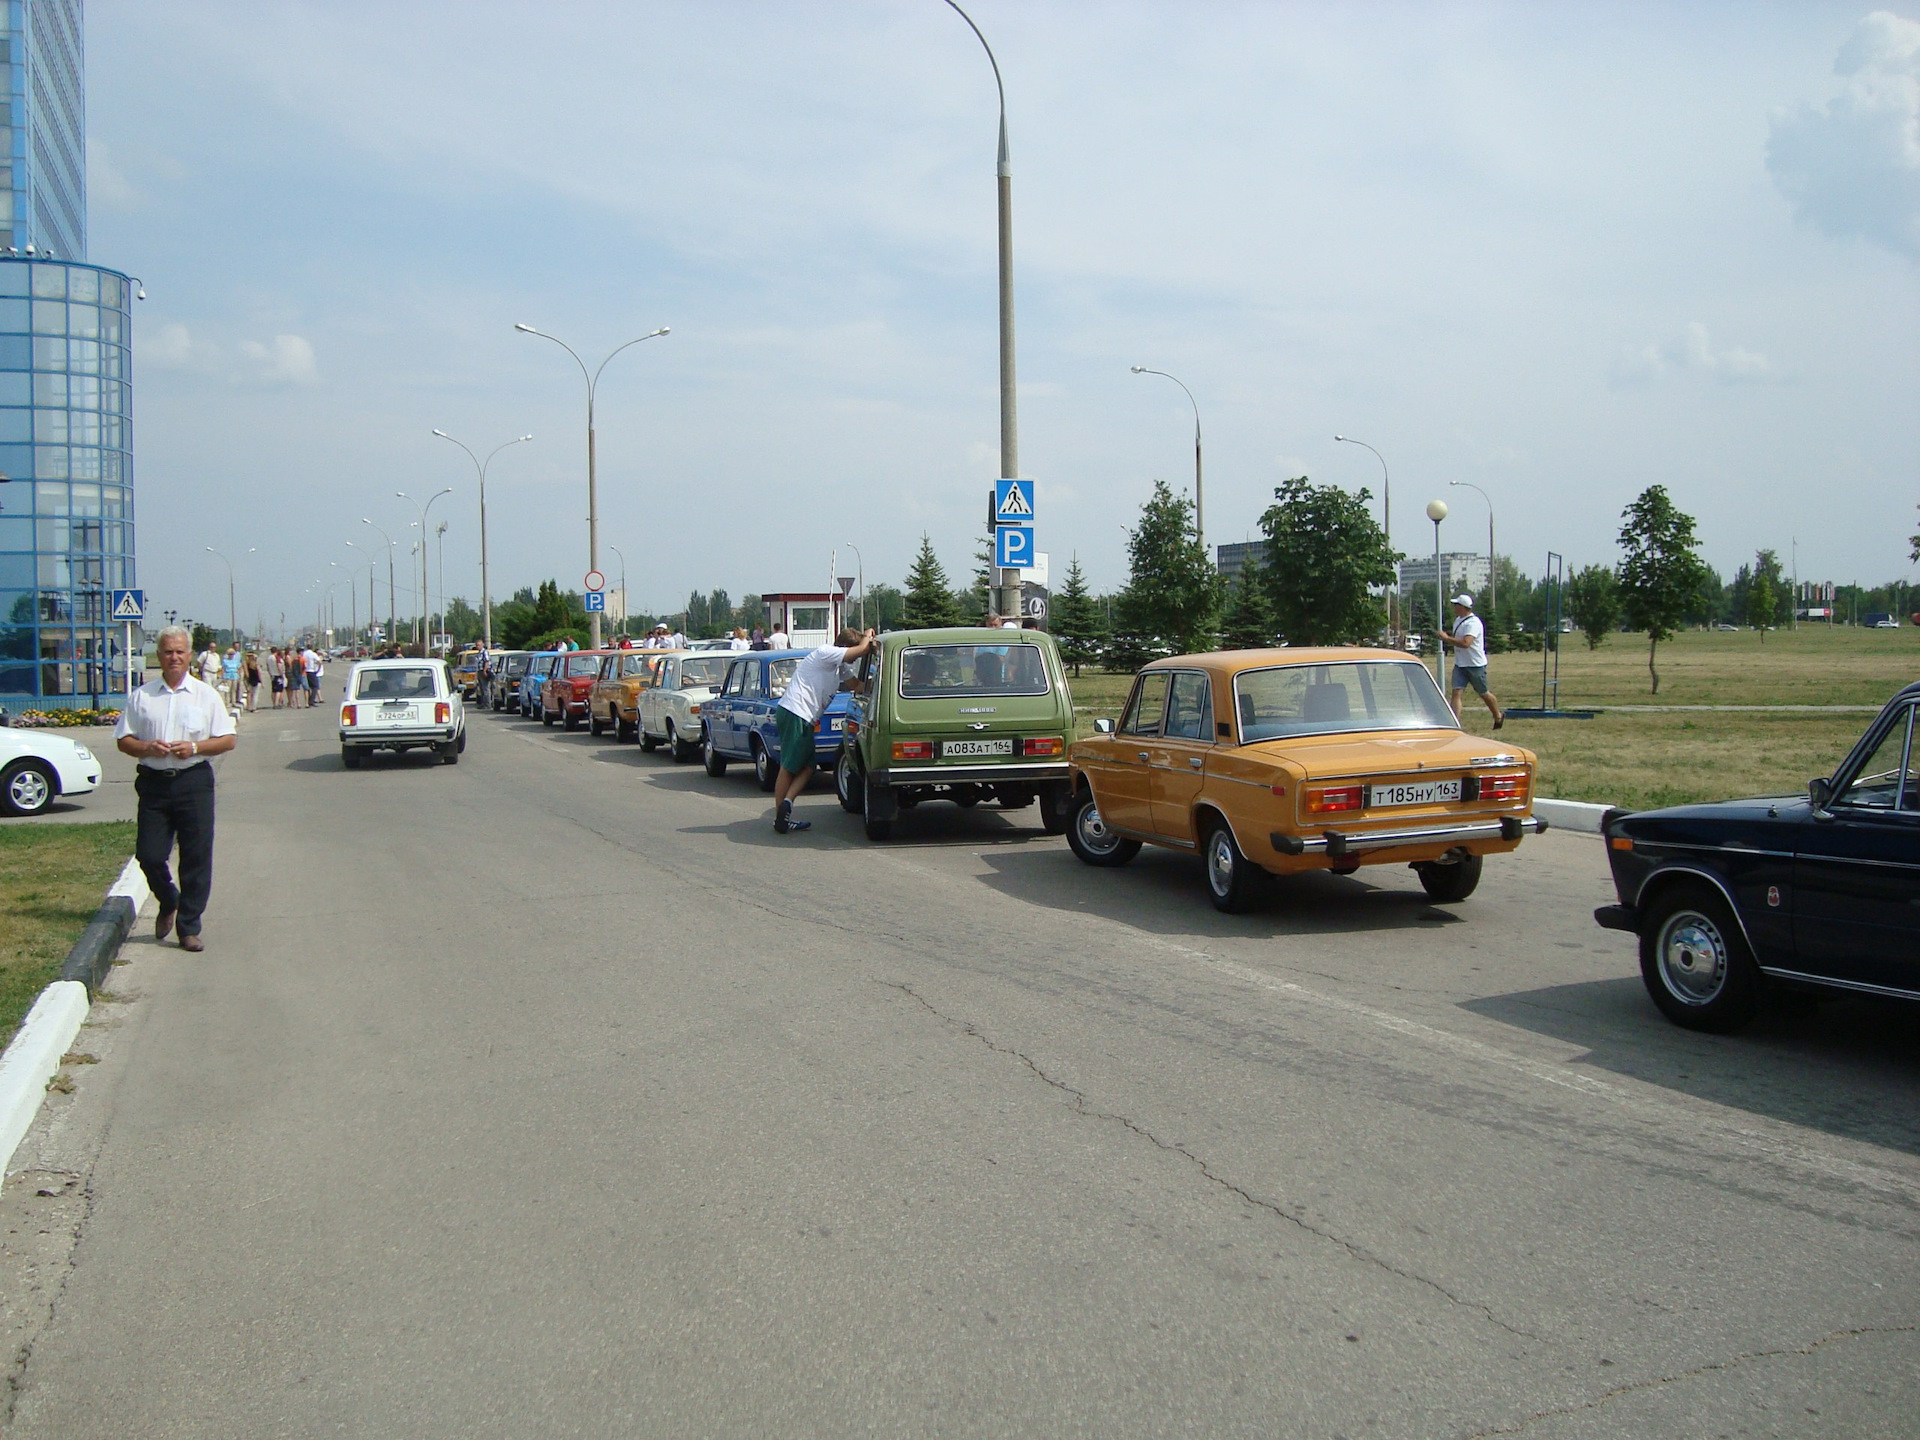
[(1164, 894)]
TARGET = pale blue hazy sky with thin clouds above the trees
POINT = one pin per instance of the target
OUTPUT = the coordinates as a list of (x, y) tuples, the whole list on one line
[(1556, 252)]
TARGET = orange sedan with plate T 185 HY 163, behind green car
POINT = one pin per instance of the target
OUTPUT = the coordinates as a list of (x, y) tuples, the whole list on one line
[(1268, 763)]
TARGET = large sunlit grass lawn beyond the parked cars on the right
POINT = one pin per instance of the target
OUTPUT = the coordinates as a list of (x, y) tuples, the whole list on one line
[(1637, 759)]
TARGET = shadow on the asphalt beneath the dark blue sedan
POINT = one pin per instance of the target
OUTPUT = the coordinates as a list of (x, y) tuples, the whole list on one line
[(1846, 1067)]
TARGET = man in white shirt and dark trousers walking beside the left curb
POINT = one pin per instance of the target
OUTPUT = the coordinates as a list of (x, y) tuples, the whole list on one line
[(172, 727)]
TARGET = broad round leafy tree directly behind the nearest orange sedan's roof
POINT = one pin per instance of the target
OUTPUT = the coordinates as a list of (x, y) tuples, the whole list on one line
[(1324, 554)]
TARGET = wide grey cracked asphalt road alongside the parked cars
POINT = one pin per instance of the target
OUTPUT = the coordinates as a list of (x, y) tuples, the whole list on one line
[(556, 1095)]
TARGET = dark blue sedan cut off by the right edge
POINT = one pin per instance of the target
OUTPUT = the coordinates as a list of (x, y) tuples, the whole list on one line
[(1802, 890)]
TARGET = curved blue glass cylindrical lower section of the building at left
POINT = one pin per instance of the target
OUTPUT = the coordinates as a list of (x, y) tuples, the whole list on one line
[(66, 504)]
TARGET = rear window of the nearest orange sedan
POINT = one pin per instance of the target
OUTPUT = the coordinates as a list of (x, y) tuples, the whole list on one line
[(1322, 700)]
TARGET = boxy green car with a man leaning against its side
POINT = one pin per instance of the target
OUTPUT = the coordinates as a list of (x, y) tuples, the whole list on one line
[(957, 715)]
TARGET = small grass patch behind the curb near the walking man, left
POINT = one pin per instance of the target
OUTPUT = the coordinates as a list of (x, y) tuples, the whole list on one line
[(53, 878)]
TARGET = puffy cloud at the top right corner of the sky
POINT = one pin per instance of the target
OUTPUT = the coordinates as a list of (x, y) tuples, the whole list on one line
[(1852, 168)]
